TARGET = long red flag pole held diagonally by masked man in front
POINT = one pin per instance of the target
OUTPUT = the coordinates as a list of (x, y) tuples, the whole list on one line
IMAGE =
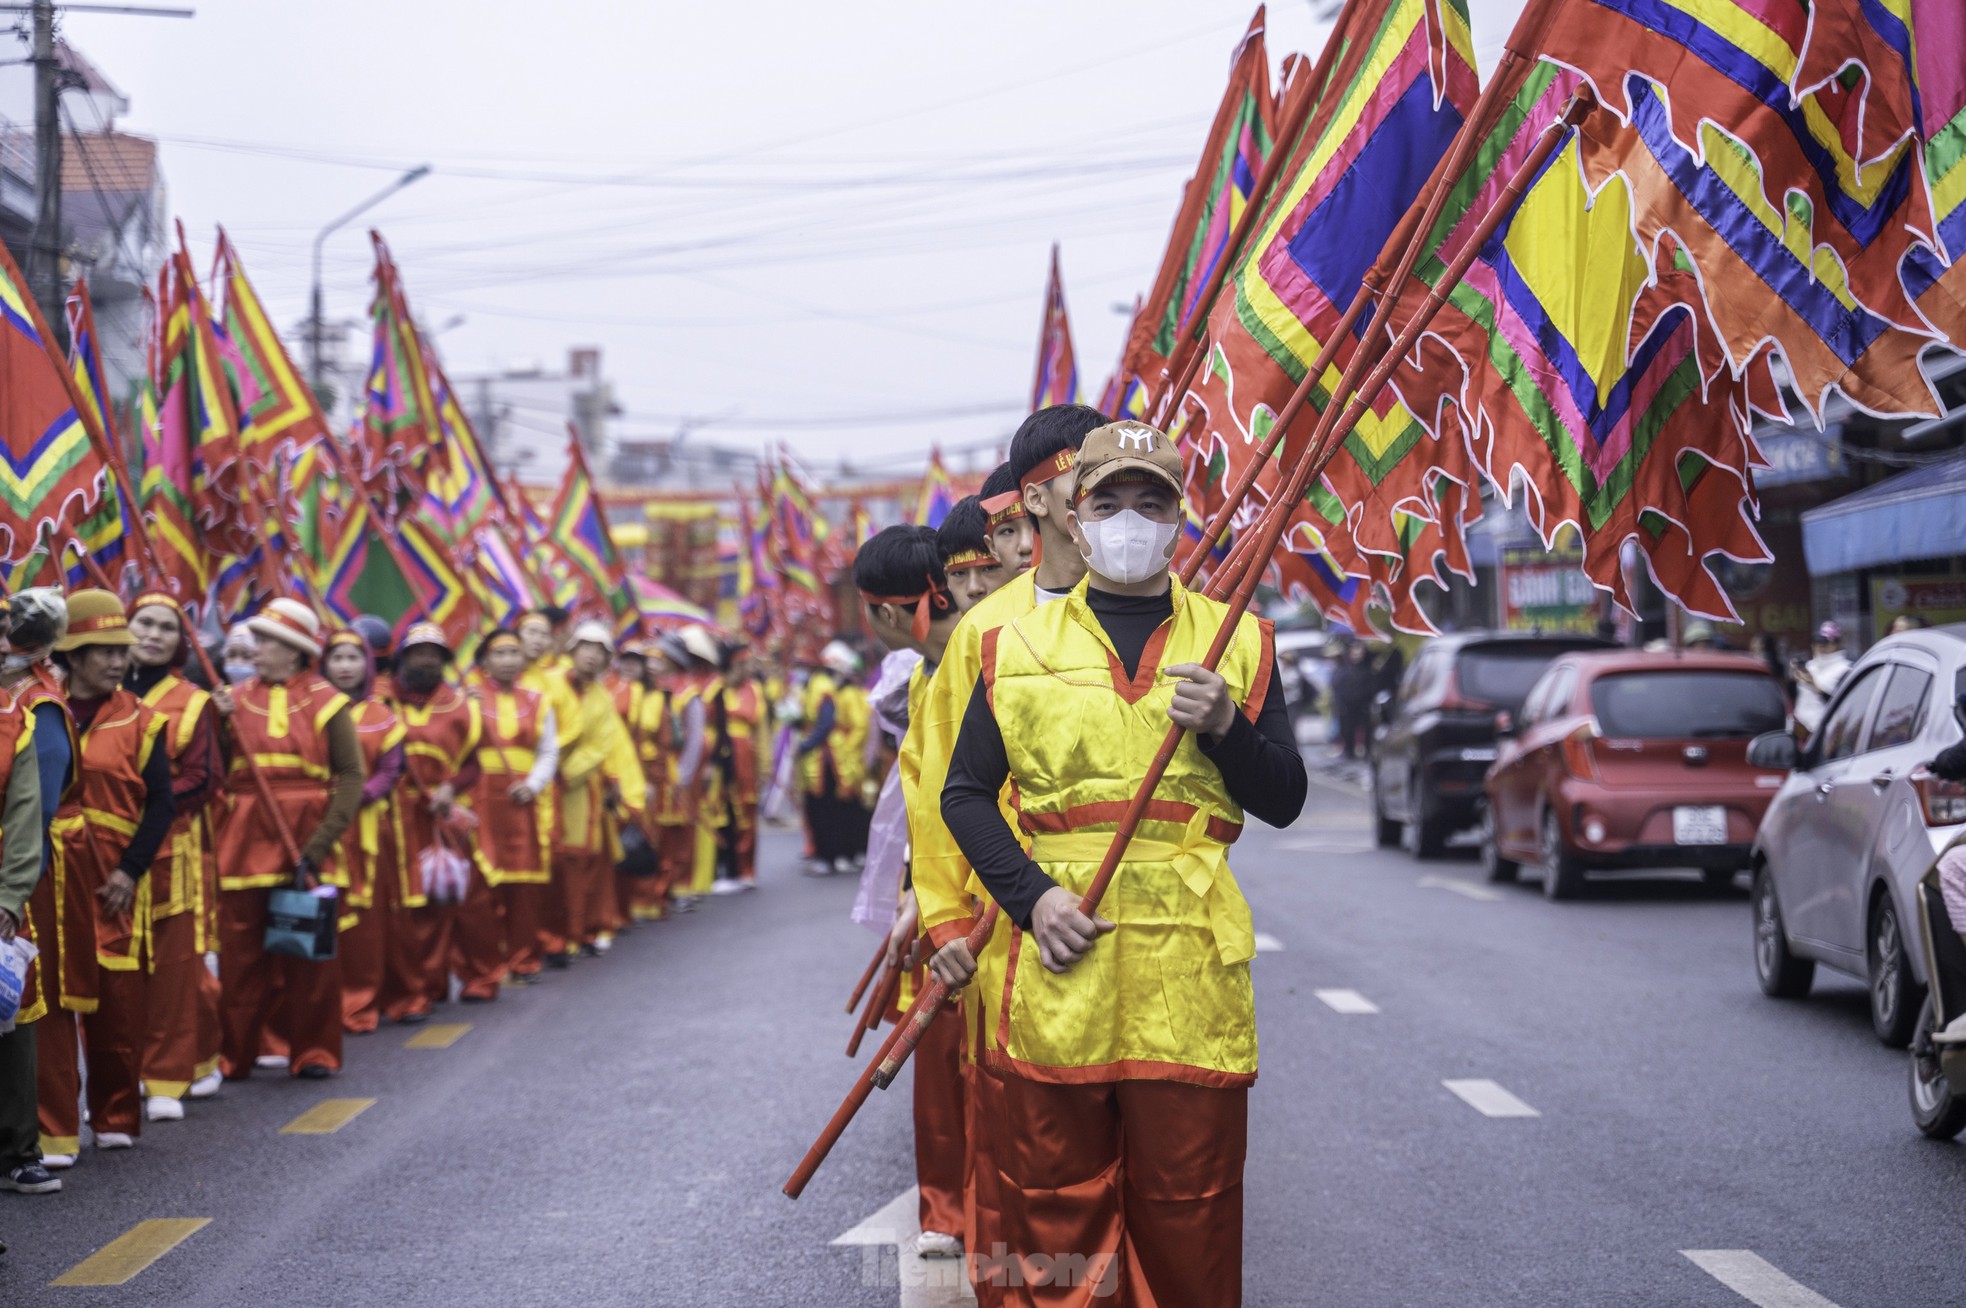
[(1338, 422)]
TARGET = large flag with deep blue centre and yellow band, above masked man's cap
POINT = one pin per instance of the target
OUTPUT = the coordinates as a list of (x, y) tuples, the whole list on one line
[(1399, 89)]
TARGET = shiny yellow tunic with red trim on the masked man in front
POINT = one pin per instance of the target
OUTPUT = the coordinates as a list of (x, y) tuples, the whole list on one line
[(1167, 996)]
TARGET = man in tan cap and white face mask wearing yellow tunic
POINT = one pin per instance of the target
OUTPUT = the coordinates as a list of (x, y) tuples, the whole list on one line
[(1128, 1041)]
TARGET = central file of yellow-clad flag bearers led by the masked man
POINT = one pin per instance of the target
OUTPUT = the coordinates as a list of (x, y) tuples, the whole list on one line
[(1080, 1108)]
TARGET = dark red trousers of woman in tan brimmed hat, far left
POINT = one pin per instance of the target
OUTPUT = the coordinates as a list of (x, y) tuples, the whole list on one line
[(113, 1043)]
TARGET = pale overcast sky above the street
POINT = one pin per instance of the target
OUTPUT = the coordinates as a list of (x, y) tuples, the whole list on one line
[(825, 225)]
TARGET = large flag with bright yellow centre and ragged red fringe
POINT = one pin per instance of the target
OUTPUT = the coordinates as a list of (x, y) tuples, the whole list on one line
[(1578, 369)]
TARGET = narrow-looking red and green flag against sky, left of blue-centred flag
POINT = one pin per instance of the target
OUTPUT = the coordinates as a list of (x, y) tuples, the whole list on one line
[(1212, 206)]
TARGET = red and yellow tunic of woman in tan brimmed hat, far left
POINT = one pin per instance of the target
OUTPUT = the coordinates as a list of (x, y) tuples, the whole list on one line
[(101, 813)]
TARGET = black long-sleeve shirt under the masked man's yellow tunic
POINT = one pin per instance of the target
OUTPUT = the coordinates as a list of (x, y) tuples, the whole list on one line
[(1259, 764)]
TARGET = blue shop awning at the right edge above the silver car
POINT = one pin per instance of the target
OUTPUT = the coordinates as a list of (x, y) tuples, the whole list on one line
[(1918, 514)]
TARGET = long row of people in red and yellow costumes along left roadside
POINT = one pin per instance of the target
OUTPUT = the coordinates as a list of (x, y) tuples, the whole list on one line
[(459, 827)]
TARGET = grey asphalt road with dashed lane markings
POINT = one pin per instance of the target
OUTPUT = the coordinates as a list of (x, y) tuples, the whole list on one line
[(620, 1134)]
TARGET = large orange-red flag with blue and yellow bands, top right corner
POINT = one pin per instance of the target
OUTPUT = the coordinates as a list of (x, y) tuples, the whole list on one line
[(1790, 206)]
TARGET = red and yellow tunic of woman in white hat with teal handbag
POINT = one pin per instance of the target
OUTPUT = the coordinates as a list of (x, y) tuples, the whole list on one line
[(286, 733)]
